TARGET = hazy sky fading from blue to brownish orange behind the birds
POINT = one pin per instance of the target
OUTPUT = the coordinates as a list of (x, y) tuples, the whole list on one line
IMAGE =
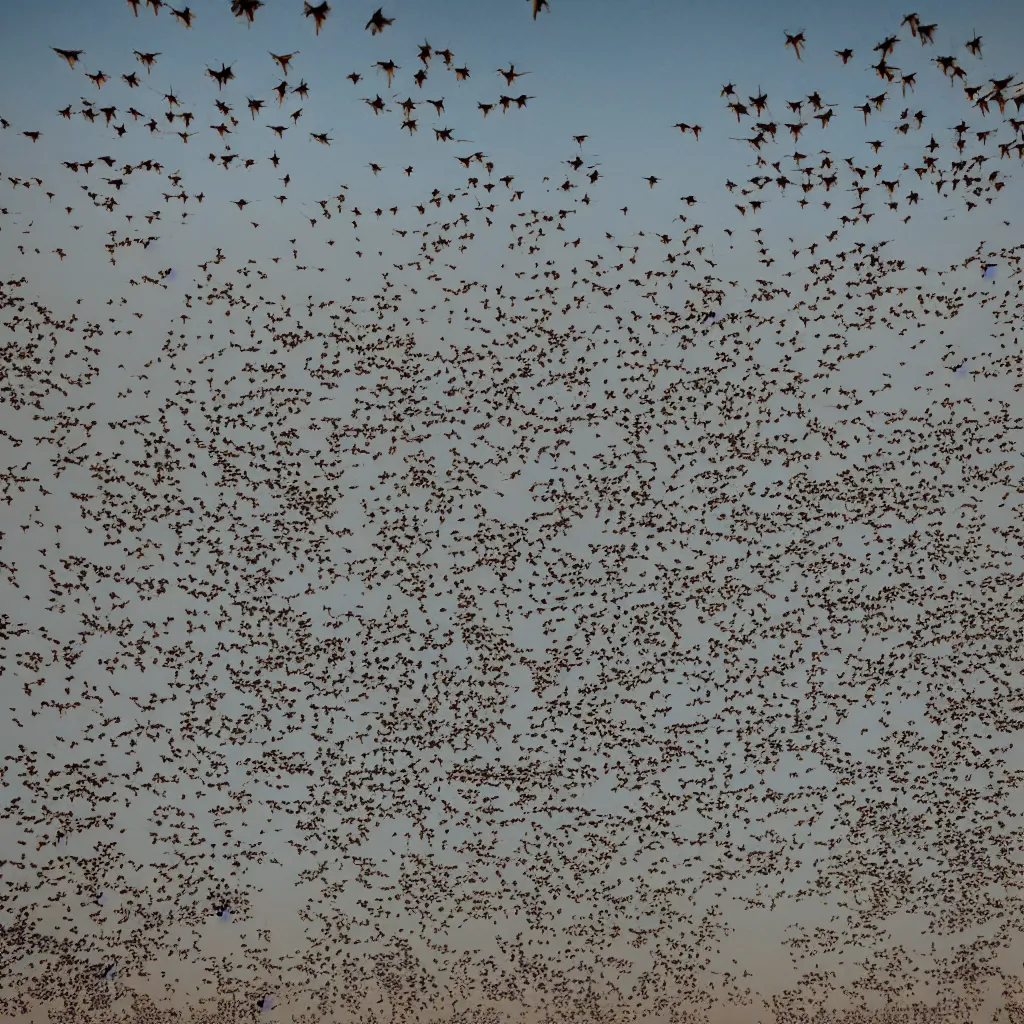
[(931, 642)]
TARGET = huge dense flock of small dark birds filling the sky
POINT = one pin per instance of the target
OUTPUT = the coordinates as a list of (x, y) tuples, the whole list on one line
[(514, 612)]
